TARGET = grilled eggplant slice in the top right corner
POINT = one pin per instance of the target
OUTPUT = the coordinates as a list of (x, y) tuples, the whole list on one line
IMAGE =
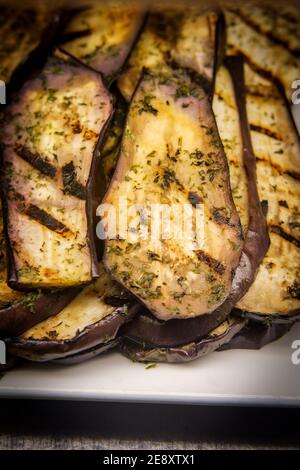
[(249, 37)]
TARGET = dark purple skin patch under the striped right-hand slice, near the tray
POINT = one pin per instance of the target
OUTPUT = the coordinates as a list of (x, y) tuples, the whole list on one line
[(257, 335)]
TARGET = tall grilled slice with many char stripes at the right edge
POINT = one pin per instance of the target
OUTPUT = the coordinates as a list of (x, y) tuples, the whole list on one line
[(275, 293)]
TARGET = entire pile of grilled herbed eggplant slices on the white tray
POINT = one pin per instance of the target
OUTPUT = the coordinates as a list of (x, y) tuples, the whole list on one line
[(155, 108)]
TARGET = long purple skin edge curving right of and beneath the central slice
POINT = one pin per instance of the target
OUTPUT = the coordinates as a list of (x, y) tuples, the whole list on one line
[(147, 329)]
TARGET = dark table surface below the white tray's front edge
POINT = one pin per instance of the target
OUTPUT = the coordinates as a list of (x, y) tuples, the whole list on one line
[(93, 425)]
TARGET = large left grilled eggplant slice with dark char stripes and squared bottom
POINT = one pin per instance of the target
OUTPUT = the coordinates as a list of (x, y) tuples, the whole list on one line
[(51, 138)]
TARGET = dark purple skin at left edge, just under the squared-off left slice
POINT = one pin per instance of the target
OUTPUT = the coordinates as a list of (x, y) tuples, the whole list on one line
[(21, 315)]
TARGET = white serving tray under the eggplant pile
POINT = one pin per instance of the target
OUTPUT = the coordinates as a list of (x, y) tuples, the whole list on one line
[(238, 377)]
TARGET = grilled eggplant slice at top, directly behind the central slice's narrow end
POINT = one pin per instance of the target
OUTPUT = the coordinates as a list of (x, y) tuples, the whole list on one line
[(192, 39)]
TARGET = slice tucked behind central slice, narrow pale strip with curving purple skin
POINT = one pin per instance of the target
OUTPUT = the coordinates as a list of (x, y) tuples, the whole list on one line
[(230, 110)]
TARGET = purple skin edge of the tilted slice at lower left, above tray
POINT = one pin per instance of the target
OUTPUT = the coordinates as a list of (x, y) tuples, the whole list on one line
[(99, 333)]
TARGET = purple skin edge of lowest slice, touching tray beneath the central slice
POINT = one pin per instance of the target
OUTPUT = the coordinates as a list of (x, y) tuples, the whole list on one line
[(186, 353)]
